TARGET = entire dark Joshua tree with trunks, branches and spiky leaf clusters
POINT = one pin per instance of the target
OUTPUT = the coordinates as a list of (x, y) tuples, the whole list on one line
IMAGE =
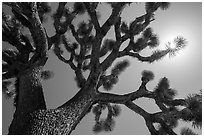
[(91, 52)]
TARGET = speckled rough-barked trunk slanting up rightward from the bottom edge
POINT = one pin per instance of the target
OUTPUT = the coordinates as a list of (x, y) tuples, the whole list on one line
[(62, 120)]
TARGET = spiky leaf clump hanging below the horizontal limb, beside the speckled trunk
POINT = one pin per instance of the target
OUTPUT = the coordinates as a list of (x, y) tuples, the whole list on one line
[(108, 123)]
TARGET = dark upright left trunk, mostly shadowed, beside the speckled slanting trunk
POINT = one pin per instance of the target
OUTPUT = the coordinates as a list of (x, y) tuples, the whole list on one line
[(30, 98)]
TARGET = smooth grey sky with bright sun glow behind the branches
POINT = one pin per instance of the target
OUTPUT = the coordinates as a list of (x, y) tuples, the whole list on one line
[(184, 71)]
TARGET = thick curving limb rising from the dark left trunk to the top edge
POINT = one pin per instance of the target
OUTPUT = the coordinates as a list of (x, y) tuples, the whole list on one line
[(28, 12)]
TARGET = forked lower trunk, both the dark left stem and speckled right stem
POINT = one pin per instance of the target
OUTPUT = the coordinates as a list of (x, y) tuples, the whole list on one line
[(31, 116)]
